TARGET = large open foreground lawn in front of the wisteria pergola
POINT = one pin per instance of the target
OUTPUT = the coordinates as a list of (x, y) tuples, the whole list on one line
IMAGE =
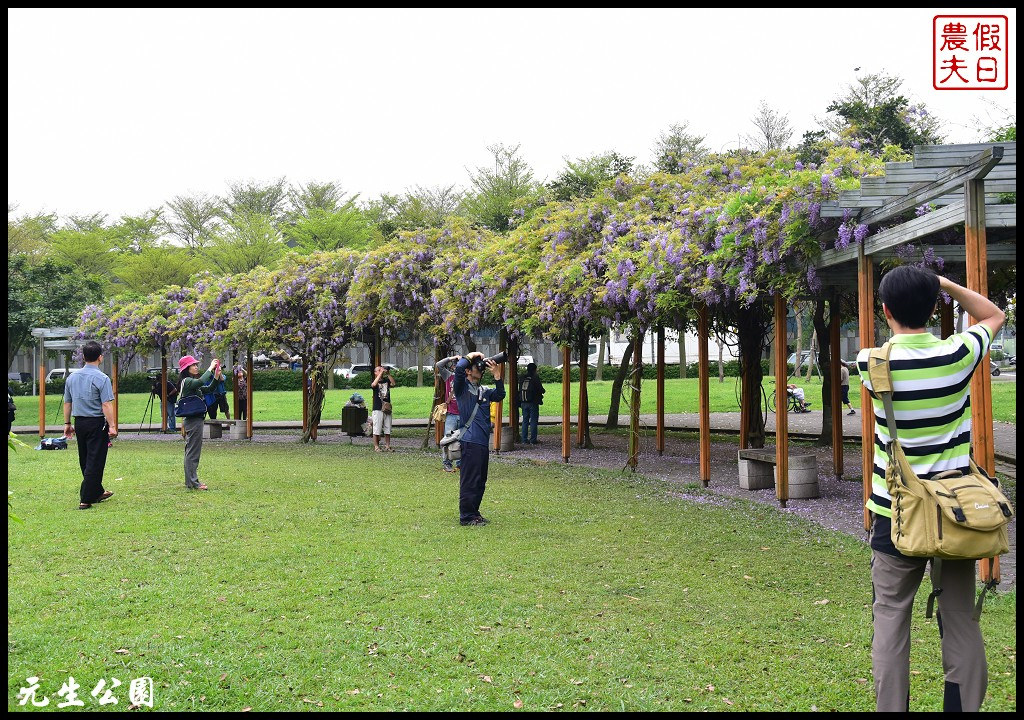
[(328, 577)]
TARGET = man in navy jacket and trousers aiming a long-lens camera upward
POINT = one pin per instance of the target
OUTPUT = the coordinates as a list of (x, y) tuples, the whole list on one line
[(470, 395)]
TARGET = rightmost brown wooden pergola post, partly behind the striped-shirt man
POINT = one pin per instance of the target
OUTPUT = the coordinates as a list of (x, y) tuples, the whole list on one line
[(983, 431)]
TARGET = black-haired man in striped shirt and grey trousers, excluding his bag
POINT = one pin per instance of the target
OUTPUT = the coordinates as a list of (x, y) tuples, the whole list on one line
[(932, 403)]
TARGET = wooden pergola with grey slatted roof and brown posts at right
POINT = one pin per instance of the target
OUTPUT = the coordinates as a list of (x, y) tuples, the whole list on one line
[(967, 186)]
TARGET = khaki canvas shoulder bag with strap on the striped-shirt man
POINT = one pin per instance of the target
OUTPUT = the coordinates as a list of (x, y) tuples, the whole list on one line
[(948, 517)]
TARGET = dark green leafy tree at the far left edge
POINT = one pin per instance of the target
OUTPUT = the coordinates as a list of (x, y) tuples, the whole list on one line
[(46, 293)]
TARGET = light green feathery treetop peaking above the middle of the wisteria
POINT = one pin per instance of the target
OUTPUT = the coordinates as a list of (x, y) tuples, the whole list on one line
[(498, 193)]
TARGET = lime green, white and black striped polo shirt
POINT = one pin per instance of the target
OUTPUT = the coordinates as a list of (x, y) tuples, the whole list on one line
[(931, 402)]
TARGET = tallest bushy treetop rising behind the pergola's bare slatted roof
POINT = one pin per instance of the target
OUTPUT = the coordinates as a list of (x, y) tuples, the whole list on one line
[(873, 111)]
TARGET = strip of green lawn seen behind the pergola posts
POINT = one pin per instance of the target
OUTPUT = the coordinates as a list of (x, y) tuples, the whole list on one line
[(680, 397)]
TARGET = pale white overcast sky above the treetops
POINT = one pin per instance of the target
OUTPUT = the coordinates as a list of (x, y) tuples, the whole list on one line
[(119, 111)]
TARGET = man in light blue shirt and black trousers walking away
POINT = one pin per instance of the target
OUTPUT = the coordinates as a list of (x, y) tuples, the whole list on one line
[(90, 397)]
